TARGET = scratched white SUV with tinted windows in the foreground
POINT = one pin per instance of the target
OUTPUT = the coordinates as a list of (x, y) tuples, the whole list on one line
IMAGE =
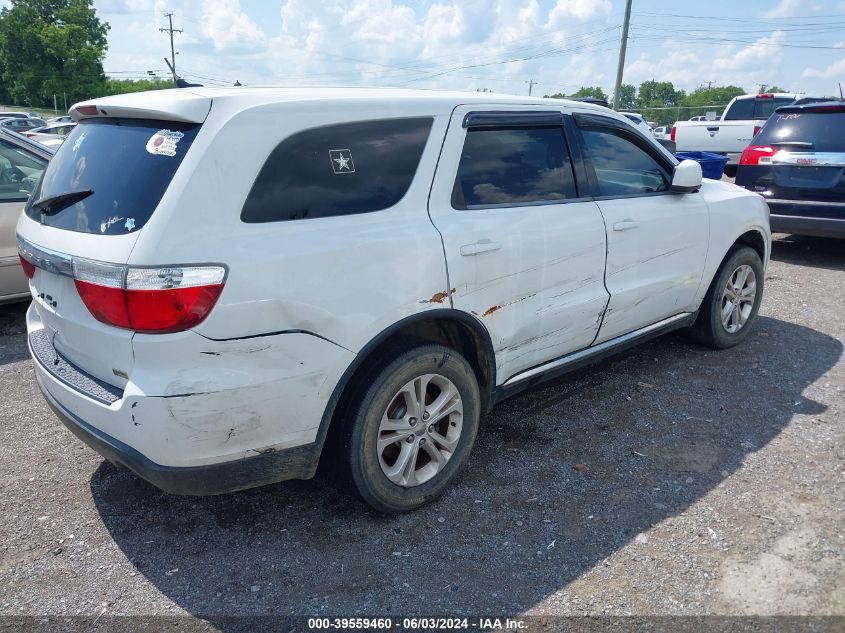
[(228, 284)]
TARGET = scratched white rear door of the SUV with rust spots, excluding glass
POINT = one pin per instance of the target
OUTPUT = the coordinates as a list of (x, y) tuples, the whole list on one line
[(541, 293)]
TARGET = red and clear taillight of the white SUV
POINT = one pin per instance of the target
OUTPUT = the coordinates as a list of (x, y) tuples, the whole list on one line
[(149, 300)]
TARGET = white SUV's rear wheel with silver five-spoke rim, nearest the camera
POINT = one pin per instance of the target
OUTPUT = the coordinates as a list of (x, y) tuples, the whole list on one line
[(412, 429)]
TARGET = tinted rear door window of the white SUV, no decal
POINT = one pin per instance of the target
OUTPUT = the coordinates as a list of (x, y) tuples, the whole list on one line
[(513, 166)]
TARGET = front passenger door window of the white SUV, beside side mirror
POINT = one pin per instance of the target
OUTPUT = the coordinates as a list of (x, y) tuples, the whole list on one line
[(622, 168)]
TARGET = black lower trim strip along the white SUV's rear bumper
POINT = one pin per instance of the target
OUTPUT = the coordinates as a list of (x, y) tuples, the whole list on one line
[(265, 468)]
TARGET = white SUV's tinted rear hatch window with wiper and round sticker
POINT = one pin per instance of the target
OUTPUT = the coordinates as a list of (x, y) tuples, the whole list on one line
[(109, 175)]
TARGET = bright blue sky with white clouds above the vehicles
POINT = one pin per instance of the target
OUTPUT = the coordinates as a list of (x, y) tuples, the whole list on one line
[(494, 44)]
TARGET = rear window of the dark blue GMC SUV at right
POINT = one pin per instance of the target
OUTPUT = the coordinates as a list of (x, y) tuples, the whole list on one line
[(808, 131)]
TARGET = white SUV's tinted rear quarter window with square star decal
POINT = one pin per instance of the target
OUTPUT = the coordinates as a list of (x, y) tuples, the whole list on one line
[(338, 170)]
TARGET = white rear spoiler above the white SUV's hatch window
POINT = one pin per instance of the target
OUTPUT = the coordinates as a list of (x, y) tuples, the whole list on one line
[(168, 105)]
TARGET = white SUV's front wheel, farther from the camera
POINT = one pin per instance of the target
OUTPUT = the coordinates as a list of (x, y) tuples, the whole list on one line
[(730, 306)]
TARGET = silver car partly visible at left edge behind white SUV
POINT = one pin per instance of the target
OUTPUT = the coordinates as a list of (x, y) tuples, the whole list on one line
[(21, 164)]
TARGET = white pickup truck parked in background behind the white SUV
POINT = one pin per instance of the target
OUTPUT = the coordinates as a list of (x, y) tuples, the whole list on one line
[(732, 133)]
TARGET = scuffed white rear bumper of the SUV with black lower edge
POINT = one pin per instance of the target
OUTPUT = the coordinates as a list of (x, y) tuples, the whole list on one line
[(204, 420)]
